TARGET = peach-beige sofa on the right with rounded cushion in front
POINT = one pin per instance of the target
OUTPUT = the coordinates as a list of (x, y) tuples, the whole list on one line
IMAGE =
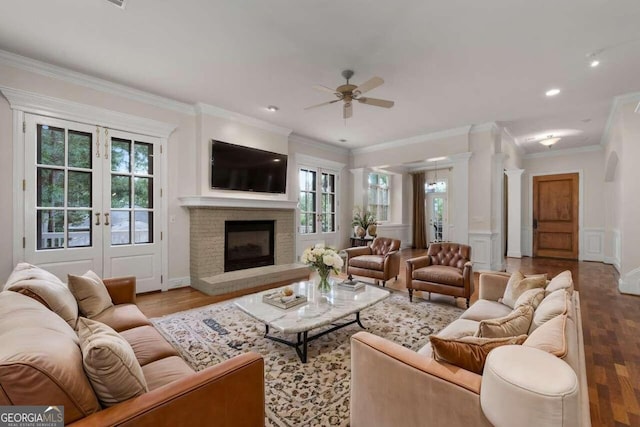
[(539, 383)]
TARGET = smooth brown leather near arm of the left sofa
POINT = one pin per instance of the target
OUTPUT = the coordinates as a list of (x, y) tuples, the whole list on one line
[(228, 394)]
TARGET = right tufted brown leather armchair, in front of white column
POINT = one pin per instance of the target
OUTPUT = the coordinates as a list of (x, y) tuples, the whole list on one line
[(446, 269)]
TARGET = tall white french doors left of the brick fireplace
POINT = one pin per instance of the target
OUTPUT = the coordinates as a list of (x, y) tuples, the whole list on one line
[(91, 198)]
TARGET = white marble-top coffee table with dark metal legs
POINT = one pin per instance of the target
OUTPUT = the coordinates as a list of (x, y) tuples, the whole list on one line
[(319, 310)]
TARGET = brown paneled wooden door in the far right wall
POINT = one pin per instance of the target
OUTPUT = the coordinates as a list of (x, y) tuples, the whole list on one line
[(555, 216)]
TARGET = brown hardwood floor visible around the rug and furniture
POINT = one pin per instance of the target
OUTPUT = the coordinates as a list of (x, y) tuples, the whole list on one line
[(610, 320)]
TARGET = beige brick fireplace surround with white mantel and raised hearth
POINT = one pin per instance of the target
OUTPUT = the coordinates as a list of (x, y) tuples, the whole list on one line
[(207, 233)]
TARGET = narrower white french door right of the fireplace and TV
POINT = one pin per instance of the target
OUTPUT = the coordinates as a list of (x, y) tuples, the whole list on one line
[(318, 201)]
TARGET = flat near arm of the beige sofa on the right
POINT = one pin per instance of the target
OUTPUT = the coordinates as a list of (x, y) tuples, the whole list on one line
[(392, 385)]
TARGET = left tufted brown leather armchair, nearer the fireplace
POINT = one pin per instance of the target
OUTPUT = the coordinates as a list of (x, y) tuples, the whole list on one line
[(379, 261)]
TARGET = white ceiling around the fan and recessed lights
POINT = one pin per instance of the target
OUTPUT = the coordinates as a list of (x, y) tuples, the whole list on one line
[(446, 63)]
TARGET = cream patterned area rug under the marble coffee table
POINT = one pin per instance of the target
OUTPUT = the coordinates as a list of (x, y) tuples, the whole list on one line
[(297, 394)]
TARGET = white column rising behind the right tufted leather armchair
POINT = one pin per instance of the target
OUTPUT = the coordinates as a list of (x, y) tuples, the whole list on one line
[(459, 233)]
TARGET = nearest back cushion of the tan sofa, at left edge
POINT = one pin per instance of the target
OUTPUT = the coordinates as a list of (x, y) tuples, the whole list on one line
[(40, 360)]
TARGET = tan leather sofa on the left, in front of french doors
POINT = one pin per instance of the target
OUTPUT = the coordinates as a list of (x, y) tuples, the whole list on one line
[(43, 362)]
